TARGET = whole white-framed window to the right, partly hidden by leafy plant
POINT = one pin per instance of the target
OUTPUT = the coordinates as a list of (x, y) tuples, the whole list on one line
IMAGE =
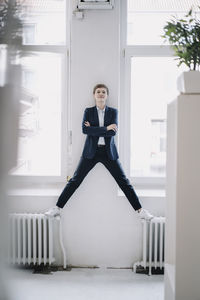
[(148, 78)]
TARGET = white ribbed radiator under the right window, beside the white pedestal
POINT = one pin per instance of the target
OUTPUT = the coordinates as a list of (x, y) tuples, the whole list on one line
[(153, 244)]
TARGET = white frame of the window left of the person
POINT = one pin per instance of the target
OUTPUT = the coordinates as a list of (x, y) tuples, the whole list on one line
[(66, 132)]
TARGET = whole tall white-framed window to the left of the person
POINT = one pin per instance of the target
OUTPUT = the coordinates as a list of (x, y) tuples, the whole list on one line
[(42, 141)]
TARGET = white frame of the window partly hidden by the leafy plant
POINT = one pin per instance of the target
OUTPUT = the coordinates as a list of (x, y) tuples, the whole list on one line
[(126, 54)]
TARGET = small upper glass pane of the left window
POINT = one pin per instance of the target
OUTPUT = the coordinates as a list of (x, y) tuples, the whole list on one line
[(44, 22)]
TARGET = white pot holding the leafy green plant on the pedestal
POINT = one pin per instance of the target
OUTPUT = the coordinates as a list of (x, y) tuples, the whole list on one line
[(189, 82)]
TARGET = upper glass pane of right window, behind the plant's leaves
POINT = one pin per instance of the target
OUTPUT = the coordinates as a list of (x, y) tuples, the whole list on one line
[(146, 19)]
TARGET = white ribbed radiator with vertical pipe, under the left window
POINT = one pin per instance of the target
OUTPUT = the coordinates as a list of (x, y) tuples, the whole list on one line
[(31, 239)]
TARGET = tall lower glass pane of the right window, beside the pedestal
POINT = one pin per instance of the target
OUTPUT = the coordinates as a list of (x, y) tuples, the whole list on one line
[(153, 85)]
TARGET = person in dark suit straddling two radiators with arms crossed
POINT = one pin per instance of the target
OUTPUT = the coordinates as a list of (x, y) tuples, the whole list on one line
[(100, 125)]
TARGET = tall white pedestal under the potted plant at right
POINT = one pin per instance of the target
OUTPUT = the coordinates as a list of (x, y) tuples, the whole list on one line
[(182, 247)]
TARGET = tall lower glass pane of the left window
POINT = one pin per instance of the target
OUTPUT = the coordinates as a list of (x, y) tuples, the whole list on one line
[(40, 116)]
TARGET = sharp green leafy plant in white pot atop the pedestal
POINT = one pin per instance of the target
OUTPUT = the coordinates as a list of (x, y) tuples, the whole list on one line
[(184, 36)]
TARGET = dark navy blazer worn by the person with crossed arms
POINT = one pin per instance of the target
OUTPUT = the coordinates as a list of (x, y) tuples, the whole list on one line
[(94, 131)]
